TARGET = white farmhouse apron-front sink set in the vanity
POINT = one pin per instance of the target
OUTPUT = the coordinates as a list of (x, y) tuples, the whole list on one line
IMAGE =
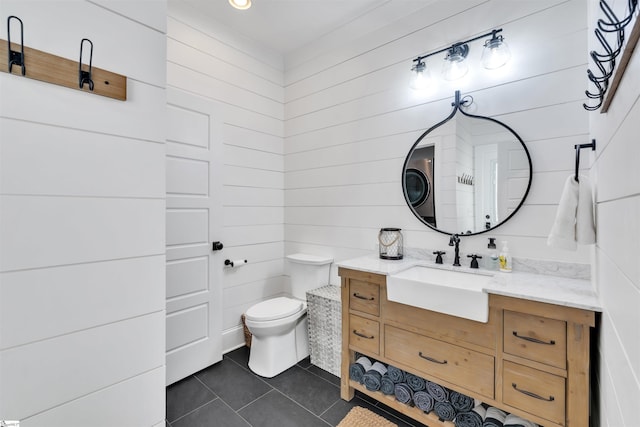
[(457, 293)]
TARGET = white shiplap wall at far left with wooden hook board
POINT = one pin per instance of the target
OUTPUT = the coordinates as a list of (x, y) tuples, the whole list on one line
[(82, 223)]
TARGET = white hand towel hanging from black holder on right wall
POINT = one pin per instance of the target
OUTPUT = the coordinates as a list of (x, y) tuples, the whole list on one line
[(574, 219)]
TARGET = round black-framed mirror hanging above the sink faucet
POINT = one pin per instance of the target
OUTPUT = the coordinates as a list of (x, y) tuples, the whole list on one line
[(478, 169)]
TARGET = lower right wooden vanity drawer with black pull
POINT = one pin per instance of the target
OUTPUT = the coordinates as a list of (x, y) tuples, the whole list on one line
[(534, 391)]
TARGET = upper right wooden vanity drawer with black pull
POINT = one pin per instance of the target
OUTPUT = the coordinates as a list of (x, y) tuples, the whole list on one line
[(536, 338)]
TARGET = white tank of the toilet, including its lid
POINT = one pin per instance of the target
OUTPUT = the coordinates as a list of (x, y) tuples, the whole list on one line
[(308, 272)]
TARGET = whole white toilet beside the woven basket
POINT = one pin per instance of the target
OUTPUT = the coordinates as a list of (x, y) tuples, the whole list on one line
[(279, 325)]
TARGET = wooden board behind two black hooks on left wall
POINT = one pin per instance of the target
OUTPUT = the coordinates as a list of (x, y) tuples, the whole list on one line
[(60, 71)]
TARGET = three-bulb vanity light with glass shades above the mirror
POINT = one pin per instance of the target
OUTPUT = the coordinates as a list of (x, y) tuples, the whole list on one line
[(496, 54)]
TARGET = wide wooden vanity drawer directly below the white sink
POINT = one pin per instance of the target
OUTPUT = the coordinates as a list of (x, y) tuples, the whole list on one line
[(439, 359)]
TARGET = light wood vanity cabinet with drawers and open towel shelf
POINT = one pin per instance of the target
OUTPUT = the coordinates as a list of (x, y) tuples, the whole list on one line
[(530, 358)]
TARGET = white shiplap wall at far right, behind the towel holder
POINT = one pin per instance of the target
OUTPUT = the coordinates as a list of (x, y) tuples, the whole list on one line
[(617, 177)]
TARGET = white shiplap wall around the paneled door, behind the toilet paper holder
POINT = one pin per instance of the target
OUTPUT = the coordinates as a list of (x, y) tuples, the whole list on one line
[(205, 58)]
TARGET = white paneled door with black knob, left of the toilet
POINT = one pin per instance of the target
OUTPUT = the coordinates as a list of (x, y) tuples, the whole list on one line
[(194, 222)]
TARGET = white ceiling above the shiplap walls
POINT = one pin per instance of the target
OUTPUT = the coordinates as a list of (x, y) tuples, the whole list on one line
[(283, 26)]
